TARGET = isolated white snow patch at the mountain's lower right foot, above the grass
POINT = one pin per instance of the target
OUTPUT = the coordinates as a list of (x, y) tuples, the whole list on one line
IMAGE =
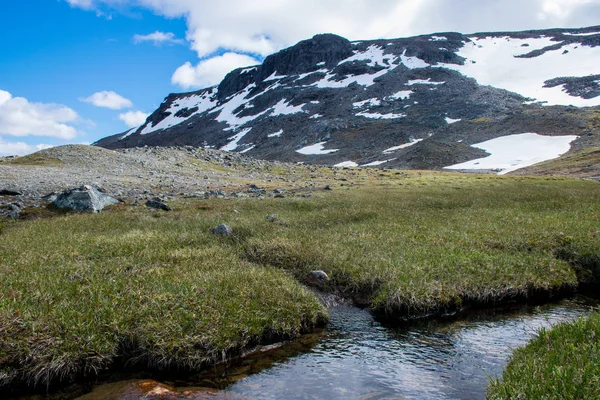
[(509, 153)]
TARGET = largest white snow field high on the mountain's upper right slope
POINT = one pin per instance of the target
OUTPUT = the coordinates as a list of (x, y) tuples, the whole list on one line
[(493, 61)]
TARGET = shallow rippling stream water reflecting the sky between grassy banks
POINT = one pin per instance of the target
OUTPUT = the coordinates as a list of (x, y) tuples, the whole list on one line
[(358, 358)]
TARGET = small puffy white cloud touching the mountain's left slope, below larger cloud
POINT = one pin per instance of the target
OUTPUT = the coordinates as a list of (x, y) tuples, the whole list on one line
[(211, 71)]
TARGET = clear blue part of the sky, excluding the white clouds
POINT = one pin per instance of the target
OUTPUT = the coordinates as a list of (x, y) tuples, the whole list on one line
[(59, 54)]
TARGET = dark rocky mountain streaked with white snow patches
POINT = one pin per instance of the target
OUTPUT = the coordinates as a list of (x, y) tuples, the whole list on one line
[(429, 101)]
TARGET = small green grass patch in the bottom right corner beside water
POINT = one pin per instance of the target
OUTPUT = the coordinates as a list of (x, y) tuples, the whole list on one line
[(560, 363)]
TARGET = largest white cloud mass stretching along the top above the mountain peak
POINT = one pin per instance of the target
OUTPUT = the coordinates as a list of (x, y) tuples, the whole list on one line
[(261, 28)]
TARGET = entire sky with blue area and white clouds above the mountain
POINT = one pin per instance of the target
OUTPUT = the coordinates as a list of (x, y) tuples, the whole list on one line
[(55, 54)]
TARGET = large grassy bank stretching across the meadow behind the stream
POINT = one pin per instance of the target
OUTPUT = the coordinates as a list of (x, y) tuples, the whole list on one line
[(81, 292)]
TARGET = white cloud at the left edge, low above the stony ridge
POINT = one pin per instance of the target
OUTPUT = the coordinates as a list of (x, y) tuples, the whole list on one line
[(19, 117)]
